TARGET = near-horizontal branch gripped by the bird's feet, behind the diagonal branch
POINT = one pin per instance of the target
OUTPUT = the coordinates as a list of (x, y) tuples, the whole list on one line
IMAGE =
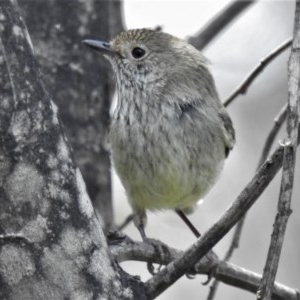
[(225, 272)]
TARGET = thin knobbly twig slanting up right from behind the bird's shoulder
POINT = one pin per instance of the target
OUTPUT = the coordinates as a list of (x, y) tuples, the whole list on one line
[(243, 86)]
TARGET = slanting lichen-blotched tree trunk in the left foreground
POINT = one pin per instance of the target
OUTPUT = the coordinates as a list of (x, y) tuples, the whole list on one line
[(51, 244)]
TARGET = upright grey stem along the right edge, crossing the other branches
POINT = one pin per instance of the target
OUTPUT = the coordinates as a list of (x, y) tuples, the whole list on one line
[(289, 160)]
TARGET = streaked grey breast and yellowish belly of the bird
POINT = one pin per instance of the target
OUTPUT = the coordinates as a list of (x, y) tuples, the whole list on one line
[(160, 161)]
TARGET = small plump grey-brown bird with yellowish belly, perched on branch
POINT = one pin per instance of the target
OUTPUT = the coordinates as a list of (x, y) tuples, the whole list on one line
[(169, 133)]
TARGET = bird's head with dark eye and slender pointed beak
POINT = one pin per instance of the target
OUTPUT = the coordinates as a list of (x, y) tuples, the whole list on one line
[(147, 56)]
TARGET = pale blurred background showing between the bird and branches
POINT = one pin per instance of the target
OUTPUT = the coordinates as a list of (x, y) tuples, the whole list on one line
[(232, 54)]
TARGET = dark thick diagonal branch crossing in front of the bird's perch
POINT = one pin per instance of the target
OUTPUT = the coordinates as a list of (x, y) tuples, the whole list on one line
[(166, 277)]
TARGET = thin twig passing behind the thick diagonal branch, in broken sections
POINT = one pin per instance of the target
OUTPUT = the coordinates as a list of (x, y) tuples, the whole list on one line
[(278, 121)]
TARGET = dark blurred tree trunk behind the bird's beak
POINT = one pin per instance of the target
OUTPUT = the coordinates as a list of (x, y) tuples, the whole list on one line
[(79, 81)]
